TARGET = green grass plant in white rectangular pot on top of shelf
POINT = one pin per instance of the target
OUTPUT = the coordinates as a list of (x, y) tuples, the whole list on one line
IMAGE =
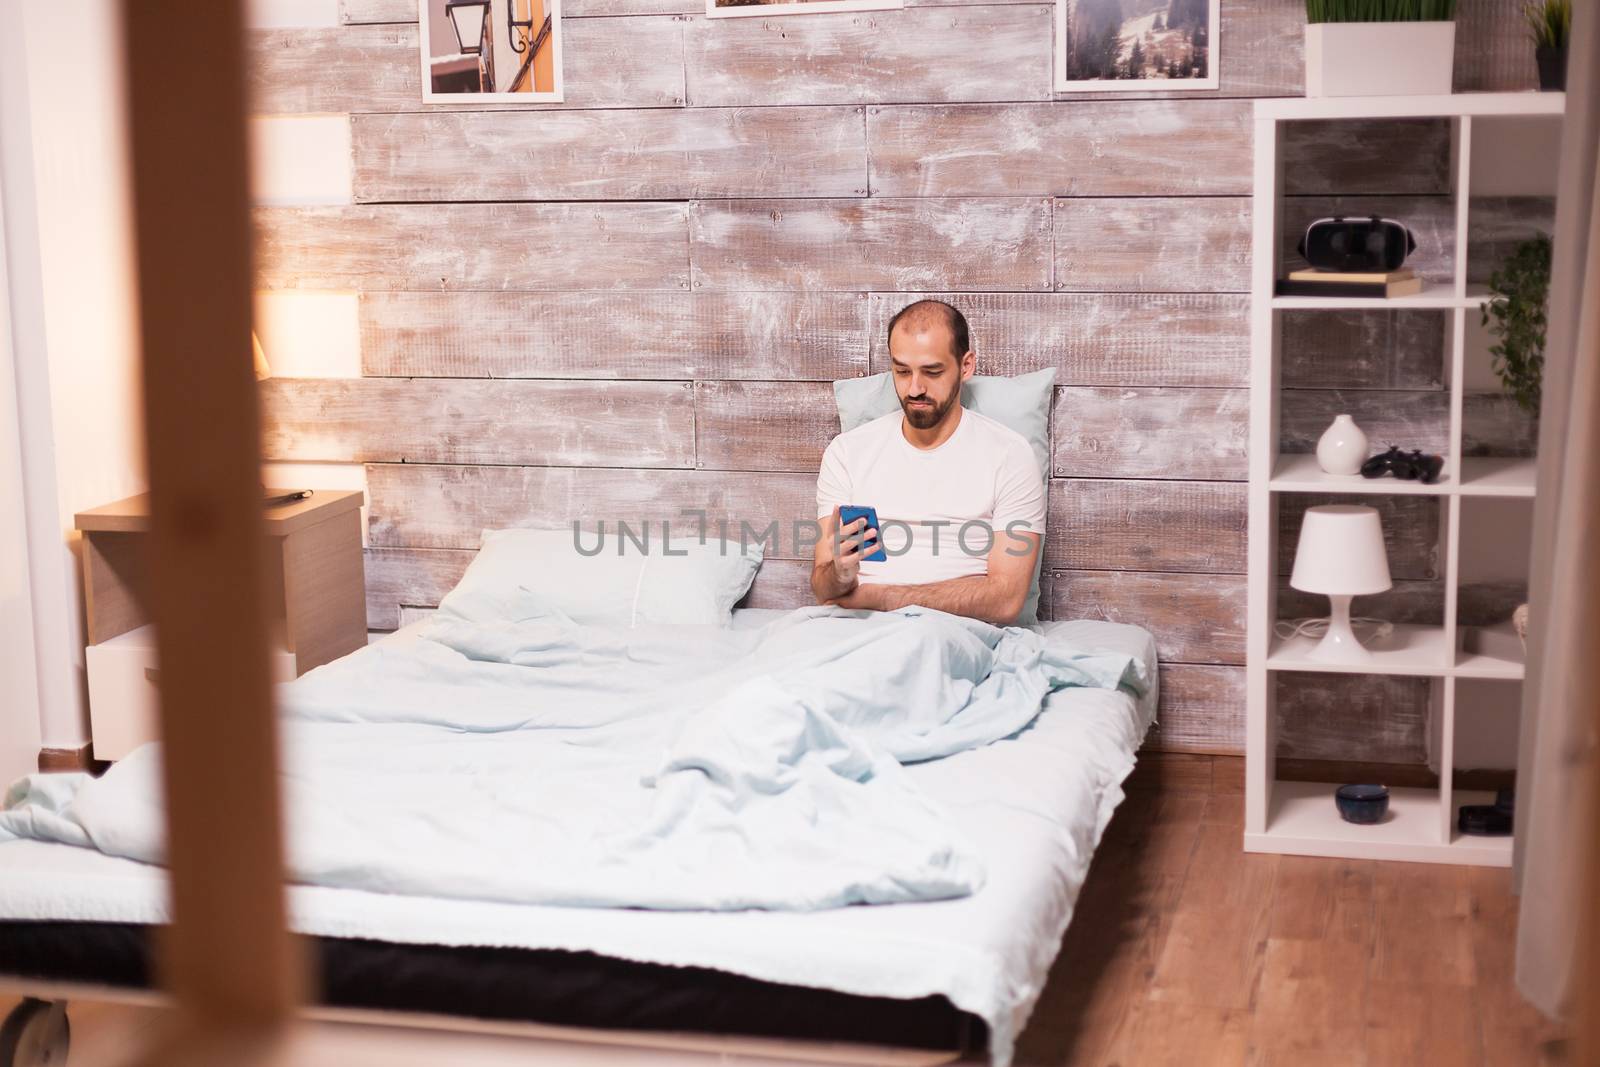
[(1380, 47)]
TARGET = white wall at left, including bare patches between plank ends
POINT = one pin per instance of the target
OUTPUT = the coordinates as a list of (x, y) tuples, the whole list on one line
[(70, 393)]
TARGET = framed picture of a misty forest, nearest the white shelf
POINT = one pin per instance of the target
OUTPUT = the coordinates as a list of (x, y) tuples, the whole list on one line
[(1143, 46)]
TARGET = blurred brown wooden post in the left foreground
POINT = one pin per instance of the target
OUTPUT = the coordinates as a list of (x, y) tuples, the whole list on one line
[(231, 959)]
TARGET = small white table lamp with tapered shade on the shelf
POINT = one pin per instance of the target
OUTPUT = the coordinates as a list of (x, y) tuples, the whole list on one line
[(1342, 554)]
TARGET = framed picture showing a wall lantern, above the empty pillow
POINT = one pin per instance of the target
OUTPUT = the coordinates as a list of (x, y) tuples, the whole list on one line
[(492, 50)]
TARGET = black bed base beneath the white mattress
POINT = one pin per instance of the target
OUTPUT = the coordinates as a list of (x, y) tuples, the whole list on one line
[(524, 985)]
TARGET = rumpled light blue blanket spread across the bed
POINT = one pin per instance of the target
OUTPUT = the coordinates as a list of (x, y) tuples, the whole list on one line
[(542, 762)]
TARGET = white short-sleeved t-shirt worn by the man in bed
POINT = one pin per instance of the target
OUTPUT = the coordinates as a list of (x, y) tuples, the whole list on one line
[(985, 473)]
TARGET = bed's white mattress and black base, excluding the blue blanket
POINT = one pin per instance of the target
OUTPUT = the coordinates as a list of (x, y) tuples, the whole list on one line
[(935, 973)]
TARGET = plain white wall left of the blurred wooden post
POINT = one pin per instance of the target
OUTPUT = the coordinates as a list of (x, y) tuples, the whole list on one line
[(73, 326)]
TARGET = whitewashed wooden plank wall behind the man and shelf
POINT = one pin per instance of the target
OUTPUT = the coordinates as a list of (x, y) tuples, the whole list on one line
[(634, 302)]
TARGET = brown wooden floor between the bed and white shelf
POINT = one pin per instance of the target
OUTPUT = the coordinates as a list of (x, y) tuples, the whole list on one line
[(1188, 951)]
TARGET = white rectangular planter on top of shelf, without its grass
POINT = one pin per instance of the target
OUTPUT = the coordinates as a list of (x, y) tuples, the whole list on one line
[(1380, 58)]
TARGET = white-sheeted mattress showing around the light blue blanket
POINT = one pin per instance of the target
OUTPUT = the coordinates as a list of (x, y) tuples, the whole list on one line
[(1038, 802)]
